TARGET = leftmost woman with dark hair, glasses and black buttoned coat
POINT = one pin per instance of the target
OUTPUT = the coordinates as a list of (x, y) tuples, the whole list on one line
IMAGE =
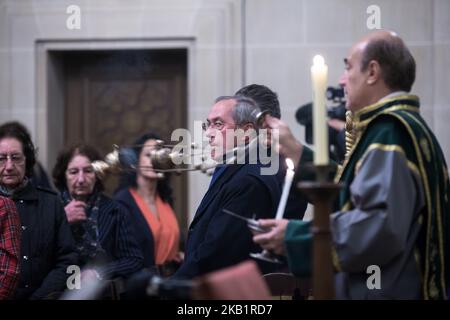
[(47, 246)]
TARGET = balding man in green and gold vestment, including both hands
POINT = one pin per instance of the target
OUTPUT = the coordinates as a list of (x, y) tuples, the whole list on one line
[(393, 211)]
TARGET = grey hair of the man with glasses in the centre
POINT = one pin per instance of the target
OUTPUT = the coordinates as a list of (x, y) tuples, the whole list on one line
[(244, 111)]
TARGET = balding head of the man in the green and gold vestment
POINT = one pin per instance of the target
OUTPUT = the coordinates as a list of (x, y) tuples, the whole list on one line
[(377, 65)]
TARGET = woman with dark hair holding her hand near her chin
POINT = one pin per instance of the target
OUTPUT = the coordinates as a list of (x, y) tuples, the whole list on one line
[(105, 246)]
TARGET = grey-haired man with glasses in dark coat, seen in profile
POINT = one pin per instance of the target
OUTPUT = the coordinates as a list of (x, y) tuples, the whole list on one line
[(215, 239)]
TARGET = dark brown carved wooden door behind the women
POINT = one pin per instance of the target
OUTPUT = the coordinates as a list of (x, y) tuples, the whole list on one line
[(113, 97)]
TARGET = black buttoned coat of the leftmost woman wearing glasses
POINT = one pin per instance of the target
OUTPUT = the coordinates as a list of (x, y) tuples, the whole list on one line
[(47, 246)]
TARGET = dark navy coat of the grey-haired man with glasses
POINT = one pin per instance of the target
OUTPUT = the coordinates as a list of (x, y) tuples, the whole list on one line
[(217, 240)]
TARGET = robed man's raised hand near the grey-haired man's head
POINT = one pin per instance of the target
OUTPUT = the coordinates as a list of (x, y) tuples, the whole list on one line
[(288, 146)]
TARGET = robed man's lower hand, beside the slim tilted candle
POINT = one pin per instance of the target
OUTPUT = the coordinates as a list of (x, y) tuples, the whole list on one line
[(273, 240)]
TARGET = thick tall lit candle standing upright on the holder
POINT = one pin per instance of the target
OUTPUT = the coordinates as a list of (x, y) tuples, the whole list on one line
[(319, 74)]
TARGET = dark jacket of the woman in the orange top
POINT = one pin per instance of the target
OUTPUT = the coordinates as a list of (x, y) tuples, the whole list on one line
[(139, 226)]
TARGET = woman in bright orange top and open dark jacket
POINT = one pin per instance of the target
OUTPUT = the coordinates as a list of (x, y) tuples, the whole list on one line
[(148, 198)]
